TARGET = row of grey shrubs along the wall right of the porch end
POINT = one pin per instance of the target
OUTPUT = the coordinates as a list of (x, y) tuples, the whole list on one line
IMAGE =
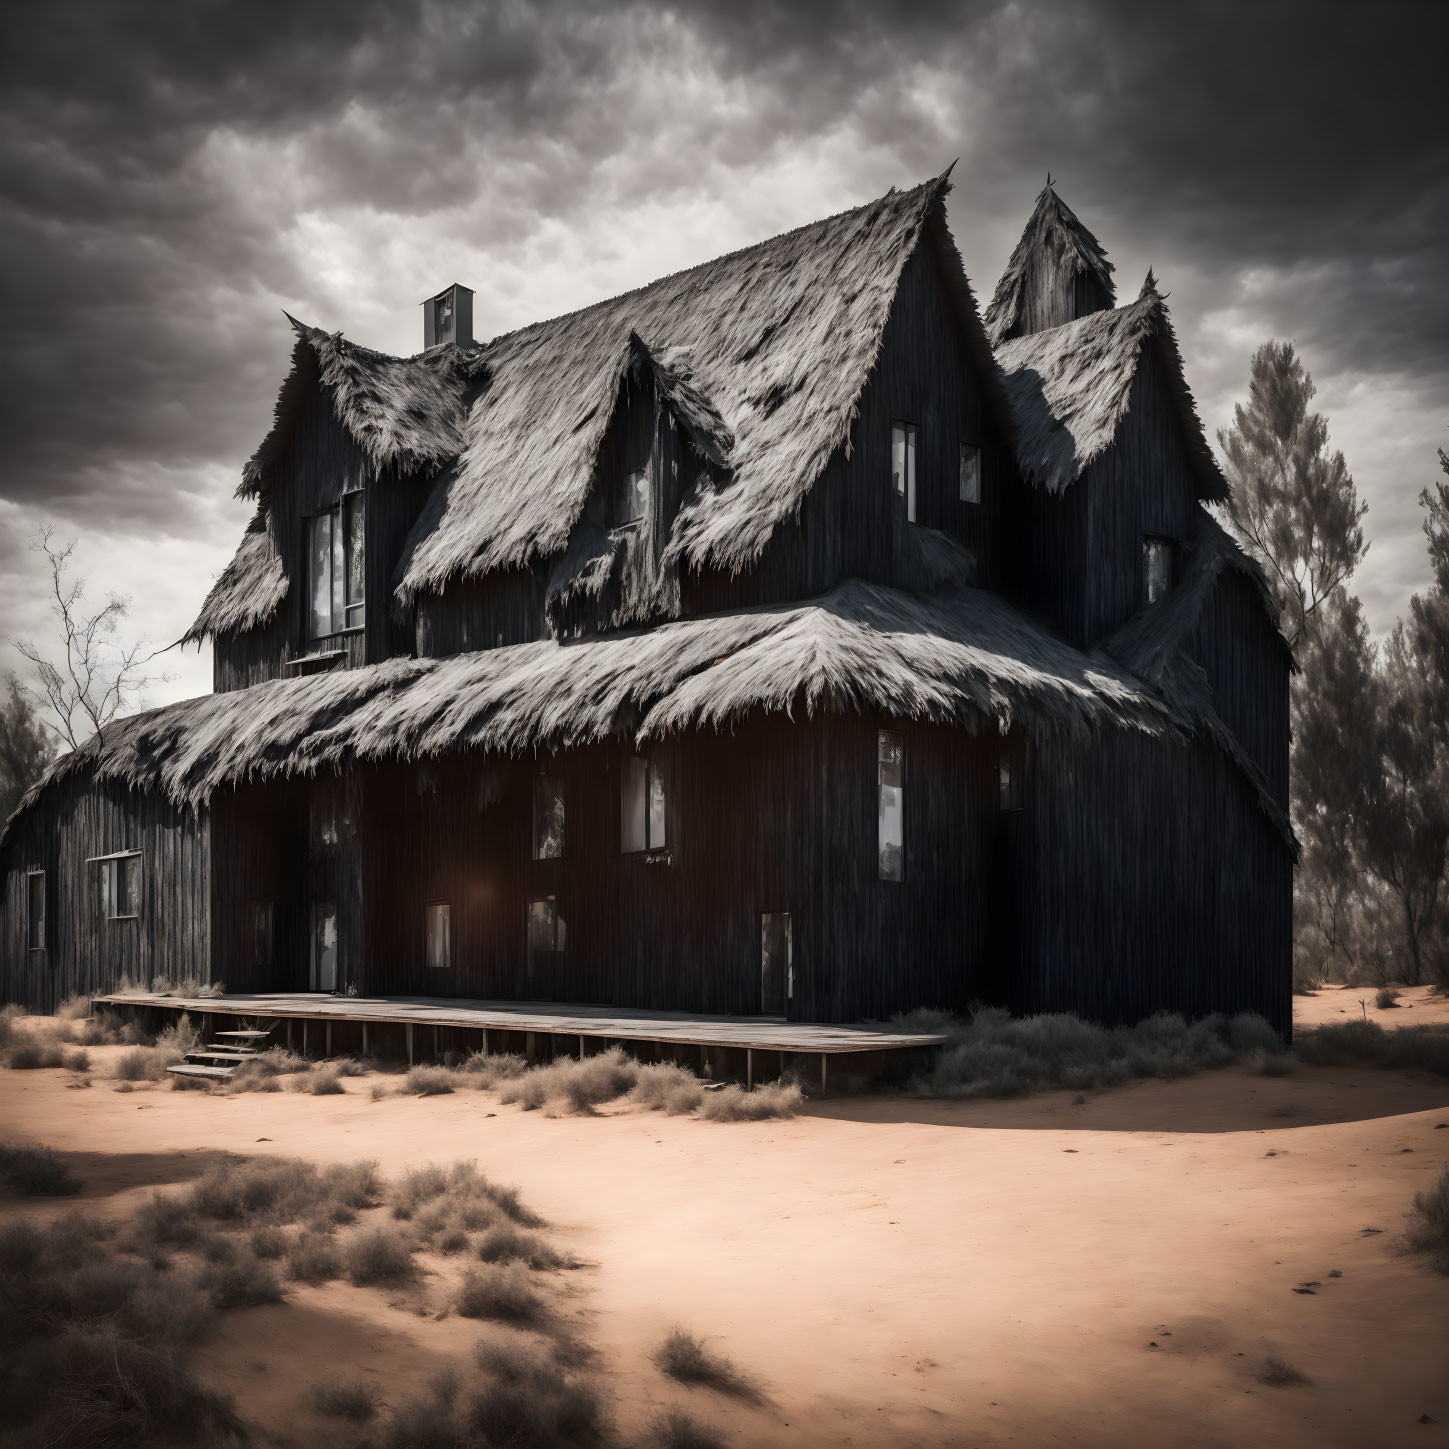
[(999, 1056)]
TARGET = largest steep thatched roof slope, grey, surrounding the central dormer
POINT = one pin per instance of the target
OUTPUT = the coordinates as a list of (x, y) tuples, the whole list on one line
[(777, 341)]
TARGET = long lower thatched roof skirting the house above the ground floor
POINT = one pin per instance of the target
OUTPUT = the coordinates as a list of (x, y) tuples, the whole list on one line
[(969, 659)]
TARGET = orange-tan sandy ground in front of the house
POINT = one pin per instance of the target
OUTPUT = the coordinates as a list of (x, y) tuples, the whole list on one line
[(892, 1273)]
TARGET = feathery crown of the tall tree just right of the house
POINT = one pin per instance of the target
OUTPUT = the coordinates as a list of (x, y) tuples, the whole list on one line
[(1293, 502)]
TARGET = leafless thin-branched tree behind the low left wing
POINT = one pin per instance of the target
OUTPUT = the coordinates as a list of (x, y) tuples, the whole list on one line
[(98, 675)]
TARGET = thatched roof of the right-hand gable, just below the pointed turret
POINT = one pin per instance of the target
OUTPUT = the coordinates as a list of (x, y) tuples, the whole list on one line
[(1070, 389)]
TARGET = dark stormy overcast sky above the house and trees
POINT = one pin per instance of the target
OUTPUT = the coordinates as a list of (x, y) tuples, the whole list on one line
[(173, 176)]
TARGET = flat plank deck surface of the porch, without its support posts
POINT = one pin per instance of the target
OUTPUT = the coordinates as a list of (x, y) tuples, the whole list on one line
[(572, 1021)]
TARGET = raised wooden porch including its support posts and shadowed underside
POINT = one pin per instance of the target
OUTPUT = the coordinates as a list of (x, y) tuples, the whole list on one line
[(753, 1047)]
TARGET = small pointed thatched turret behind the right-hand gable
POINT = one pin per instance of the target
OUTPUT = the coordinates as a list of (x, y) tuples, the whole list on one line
[(1058, 273)]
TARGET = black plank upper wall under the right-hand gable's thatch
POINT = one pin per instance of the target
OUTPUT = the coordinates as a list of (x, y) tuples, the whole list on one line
[(1079, 554)]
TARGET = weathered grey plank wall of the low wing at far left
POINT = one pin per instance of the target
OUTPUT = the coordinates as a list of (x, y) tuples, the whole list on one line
[(86, 953)]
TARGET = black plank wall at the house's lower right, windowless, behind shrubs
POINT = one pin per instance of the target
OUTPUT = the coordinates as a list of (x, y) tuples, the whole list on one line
[(1144, 877)]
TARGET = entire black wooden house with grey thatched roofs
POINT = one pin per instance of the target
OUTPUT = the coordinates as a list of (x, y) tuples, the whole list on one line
[(786, 638)]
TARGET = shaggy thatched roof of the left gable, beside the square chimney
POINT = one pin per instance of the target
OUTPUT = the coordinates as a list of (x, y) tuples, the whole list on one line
[(405, 414)]
